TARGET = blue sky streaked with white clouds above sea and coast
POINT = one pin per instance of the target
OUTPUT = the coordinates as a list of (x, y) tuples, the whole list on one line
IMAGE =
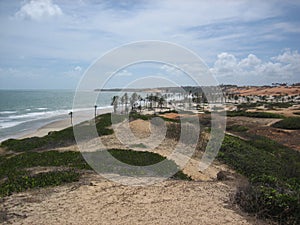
[(48, 44)]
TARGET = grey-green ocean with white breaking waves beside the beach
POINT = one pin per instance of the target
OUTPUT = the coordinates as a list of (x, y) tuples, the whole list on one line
[(24, 111)]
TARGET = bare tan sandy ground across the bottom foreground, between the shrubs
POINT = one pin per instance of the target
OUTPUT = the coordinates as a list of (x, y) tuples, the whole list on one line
[(98, 201)]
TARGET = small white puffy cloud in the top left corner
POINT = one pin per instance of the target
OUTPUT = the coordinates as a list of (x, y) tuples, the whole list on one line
[(38, 10)]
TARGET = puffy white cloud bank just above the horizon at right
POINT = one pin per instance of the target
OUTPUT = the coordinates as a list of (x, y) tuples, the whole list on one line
[(252, 70)]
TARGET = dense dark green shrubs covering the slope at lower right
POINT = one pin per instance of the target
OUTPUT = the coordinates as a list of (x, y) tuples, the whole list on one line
[(274, 174)]
